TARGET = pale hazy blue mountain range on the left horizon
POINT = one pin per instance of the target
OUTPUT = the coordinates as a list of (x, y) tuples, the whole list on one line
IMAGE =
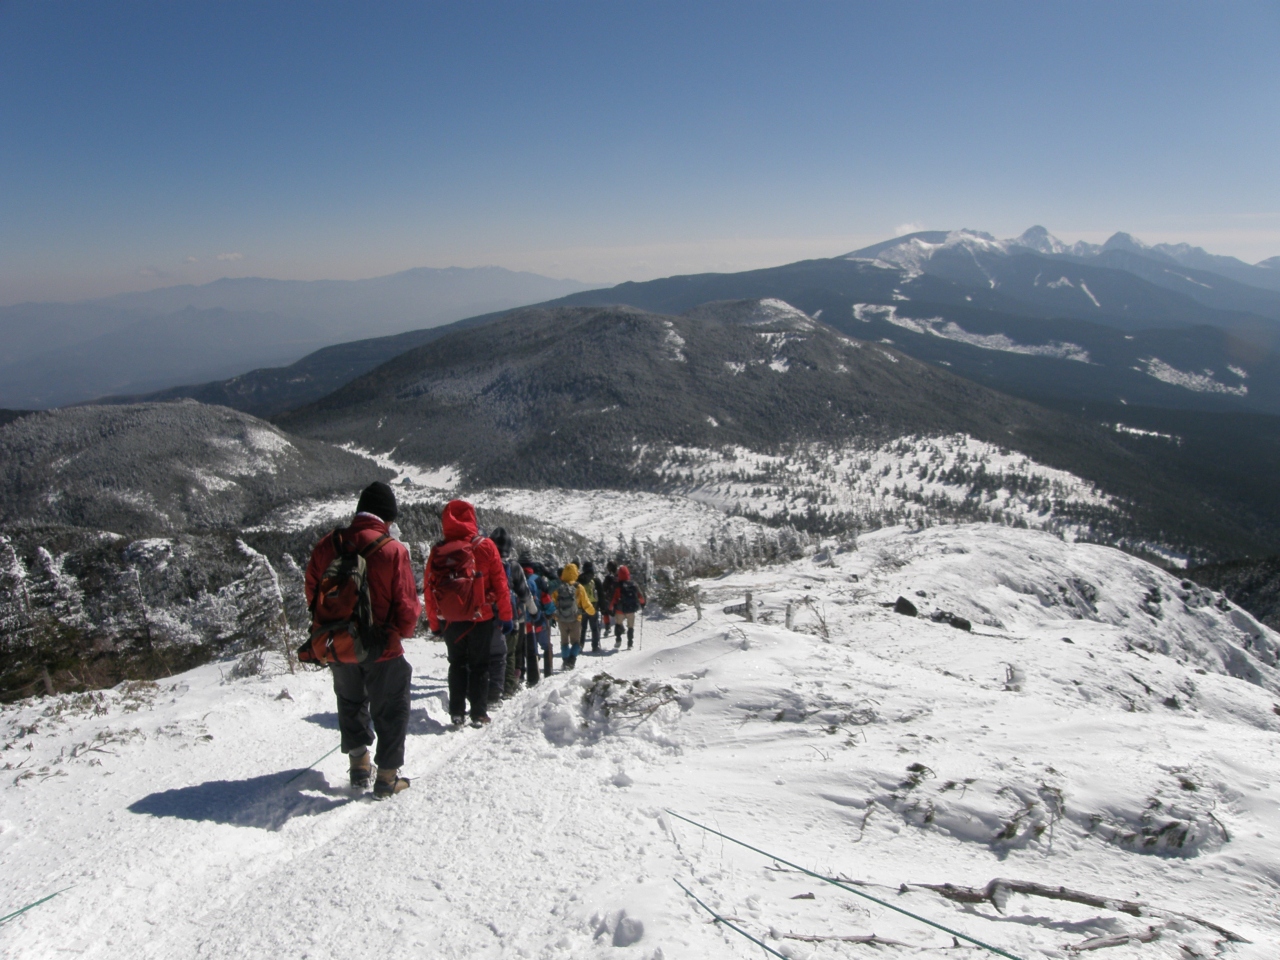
[(58, 354)]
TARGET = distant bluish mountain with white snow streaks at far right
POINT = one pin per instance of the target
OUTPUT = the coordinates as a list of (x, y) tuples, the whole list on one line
[(1014, 319)]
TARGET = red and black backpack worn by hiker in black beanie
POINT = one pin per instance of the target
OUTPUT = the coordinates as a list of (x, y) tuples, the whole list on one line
[(342, 618)]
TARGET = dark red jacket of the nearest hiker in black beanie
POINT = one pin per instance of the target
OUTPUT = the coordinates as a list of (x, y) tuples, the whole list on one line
[(392, 593)]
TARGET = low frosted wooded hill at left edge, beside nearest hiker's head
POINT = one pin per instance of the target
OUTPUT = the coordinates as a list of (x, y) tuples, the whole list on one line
[(161, 468)]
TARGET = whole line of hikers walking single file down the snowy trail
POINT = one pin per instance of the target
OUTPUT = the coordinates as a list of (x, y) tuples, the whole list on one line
[(495, 615)]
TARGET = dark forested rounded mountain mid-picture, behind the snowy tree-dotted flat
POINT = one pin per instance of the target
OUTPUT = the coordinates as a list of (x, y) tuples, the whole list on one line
[(724, 376)]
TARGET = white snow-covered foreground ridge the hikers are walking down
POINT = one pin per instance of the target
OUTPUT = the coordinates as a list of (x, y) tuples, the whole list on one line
[(1103, 728)]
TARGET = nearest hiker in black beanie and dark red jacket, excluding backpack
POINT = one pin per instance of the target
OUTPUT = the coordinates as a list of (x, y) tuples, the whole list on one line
[(374, 697)]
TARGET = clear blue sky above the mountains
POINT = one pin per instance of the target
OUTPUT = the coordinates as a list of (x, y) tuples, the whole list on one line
[(149, 144)]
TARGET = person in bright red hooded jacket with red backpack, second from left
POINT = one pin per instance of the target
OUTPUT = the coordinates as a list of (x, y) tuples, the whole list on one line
[(468, 612)]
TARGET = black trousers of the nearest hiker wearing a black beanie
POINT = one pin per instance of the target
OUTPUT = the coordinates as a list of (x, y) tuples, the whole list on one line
[(373, 700)]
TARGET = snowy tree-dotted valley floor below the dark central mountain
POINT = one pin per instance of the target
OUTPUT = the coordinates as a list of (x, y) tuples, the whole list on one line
[(734, 492)]
